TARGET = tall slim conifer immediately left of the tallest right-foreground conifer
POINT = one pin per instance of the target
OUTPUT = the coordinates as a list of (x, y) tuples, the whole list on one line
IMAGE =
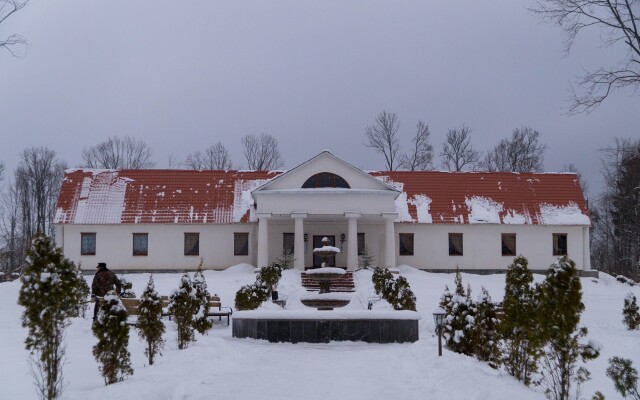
[(519, 326)]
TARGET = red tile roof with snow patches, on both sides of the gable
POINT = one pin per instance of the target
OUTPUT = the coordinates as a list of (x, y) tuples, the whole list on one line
[(184, 196)]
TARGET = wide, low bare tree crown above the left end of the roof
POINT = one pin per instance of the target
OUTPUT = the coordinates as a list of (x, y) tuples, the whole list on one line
[(117, 153)]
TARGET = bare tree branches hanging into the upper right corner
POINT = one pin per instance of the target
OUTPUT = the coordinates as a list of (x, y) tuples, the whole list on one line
[(618, 22)]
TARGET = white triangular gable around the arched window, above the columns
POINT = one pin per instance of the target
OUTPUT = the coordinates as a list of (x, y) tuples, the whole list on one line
[(325, 162)]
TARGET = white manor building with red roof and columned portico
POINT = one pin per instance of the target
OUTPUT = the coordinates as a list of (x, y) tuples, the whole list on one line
[(143, 220)]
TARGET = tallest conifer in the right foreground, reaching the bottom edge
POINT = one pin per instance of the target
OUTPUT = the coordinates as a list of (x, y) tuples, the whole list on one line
[(560, 308)]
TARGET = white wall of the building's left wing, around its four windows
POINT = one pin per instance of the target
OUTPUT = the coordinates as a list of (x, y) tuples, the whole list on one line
[(114, 245)]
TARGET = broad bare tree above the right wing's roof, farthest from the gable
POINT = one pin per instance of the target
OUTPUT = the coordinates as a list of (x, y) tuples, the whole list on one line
[(522, 152)]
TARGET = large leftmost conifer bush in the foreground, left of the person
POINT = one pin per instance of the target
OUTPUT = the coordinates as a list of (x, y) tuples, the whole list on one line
[(51, 292)]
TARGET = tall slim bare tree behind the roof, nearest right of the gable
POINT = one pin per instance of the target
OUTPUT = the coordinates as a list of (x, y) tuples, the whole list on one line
[(381, 136)]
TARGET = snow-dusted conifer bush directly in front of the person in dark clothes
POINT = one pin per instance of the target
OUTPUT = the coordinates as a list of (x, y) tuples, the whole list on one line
[(112, 331)]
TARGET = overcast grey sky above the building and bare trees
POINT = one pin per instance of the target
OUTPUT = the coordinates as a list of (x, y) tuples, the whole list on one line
[(182, 75)]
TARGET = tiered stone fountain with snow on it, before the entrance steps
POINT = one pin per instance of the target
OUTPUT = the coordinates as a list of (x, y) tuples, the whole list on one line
[(325, 299)]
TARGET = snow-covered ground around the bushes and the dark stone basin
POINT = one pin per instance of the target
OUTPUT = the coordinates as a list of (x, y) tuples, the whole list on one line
[(220, 367)]
